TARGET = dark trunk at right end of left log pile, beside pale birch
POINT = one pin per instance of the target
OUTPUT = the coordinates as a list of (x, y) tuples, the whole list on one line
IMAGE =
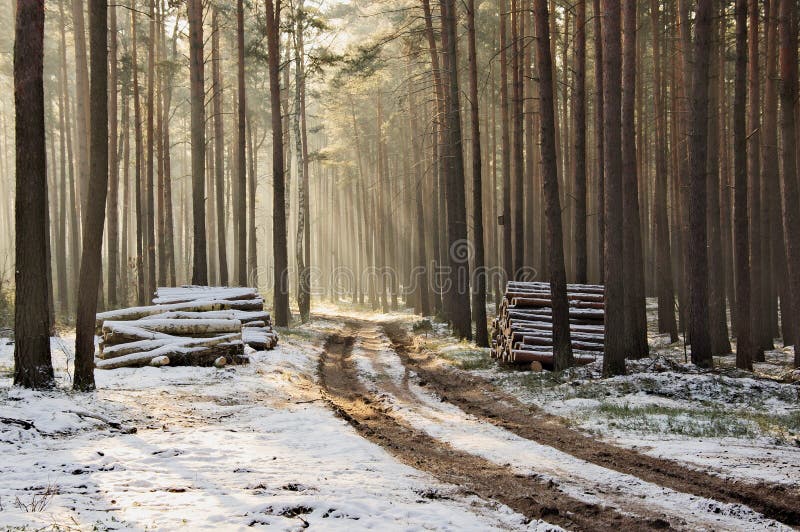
[(279, 243)]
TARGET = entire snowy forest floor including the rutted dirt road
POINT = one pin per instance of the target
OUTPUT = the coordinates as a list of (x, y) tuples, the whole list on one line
[(357, 421)]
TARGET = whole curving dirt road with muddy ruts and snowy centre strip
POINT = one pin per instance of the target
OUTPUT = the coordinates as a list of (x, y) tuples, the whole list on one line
[(466, 432)]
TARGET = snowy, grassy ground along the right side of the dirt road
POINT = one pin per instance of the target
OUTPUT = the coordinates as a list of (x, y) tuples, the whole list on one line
[(736, 424)]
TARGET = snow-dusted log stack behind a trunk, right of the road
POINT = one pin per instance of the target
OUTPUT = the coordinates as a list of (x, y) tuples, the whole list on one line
[(523, 330)]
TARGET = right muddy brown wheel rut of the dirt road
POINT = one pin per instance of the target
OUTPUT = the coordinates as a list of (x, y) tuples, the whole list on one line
[(480, 398)]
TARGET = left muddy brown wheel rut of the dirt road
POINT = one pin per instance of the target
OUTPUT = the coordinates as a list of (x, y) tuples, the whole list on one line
[(532, 498)]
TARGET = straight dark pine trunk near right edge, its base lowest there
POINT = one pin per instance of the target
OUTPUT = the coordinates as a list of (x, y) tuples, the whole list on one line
[(745, 345)]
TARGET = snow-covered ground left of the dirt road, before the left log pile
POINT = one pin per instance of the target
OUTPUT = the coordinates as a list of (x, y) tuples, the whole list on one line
[(213, 449)]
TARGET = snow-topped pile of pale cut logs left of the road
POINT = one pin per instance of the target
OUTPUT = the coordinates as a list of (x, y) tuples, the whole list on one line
[(188, 325)]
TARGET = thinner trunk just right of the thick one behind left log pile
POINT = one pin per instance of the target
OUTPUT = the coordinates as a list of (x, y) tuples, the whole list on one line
[(219, 148)]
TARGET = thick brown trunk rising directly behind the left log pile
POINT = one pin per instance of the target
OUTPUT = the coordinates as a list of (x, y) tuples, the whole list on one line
[(198, 134)]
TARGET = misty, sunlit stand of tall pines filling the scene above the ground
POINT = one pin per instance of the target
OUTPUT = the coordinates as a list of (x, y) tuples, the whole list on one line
[(648, 146)]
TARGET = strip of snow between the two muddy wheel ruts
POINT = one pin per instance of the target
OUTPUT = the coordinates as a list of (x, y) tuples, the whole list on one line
[(580, 479)]
